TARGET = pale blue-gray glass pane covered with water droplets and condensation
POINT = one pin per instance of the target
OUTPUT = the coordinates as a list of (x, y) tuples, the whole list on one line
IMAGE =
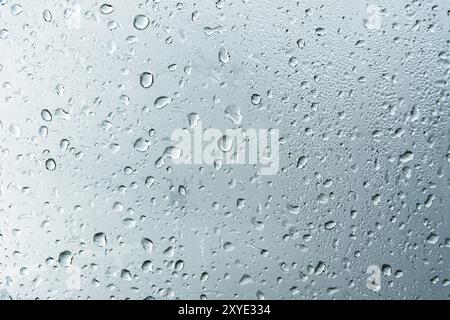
[(358, 89)]
